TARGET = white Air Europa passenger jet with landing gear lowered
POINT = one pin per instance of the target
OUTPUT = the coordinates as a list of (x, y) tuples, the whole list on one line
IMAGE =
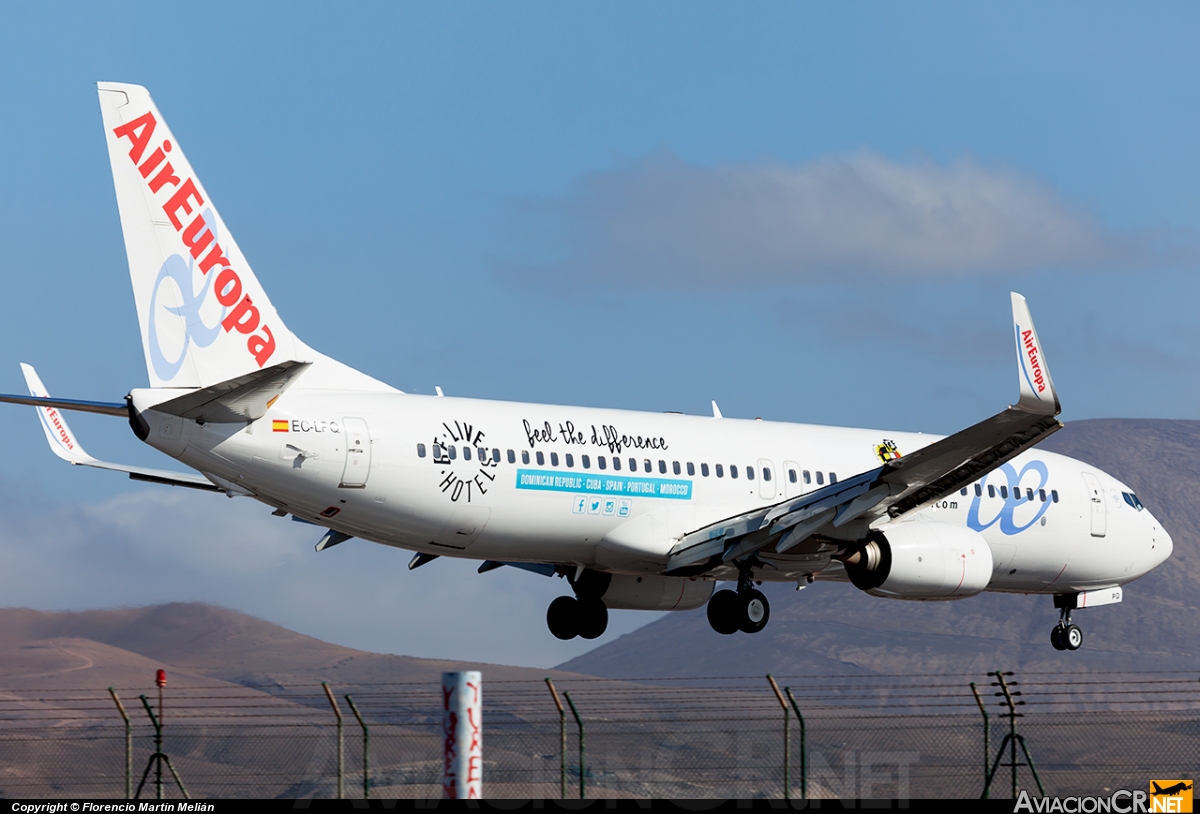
[(633, 510)]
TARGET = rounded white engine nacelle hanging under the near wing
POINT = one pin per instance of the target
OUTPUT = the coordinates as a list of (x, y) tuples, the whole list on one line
[(922, 560)]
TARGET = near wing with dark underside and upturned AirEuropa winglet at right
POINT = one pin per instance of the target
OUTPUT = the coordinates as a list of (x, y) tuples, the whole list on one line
[(898, 487)]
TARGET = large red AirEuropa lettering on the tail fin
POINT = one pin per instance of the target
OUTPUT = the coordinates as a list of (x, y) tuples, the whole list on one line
[(242, 315)]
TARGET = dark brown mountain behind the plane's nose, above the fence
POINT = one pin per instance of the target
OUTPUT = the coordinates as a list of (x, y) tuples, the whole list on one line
[(837, 630)]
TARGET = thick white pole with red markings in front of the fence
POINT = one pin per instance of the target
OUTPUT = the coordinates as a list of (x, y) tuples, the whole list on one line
[(463, 722)]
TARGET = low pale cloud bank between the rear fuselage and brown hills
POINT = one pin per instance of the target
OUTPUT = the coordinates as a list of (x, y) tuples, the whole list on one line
[(161, 544)]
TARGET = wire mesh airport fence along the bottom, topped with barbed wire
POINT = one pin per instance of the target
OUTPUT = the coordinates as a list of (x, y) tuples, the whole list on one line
[(862, 738)]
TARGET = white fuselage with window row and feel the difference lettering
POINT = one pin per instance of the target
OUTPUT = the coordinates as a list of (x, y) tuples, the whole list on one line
[(405, 471)]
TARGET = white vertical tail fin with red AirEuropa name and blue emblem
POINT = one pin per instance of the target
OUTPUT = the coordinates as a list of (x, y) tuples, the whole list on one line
[(205, 316)]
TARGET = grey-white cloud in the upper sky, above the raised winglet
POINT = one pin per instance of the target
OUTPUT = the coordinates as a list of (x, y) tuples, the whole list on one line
[(661, 220)]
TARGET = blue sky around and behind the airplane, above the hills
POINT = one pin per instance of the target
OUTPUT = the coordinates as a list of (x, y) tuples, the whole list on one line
[(807, 213)]
